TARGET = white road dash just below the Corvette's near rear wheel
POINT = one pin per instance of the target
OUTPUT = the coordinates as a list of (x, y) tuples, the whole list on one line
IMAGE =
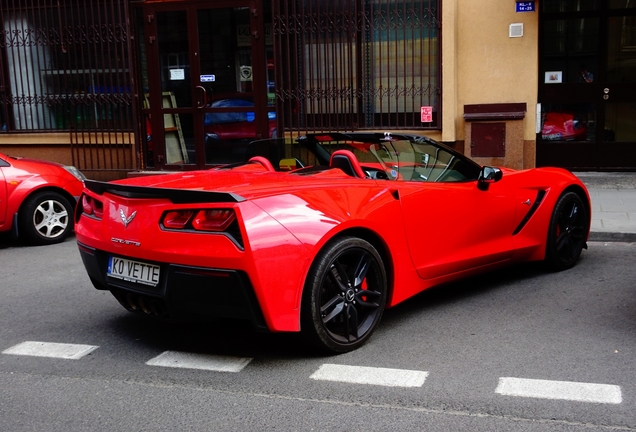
[(370, 375)]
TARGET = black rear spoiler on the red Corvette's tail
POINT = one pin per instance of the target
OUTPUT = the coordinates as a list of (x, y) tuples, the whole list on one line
[(177, 196)]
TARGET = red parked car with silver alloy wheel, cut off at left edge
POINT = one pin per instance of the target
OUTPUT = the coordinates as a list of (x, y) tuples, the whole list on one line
[(37, 199)]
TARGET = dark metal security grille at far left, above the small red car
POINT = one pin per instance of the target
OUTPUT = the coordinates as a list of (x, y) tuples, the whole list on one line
[(66, 67)]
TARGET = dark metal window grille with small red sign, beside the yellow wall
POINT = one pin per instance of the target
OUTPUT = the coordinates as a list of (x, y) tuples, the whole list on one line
[(357, 64)]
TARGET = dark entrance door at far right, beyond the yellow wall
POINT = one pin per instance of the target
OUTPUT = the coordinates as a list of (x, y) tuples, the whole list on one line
[(587, 89)]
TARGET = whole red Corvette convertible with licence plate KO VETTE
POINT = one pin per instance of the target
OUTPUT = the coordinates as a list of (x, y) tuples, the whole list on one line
[(321, 236)]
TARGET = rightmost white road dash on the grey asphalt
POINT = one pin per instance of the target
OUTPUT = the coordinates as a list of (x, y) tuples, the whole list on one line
[(565, 390)]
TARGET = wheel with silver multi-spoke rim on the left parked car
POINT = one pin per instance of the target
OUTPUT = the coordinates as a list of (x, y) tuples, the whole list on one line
[(45, 218)]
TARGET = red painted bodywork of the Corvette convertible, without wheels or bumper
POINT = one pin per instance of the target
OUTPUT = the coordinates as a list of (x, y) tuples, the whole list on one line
[(285, 220)]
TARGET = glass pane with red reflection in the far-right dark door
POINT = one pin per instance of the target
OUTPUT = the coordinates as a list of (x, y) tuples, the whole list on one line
[(568, 122)]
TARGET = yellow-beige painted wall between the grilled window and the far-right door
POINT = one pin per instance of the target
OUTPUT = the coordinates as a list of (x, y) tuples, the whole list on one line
[(481, 64)]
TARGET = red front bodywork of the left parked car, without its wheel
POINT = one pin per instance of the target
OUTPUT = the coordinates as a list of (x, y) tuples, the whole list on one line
[(24, 176)]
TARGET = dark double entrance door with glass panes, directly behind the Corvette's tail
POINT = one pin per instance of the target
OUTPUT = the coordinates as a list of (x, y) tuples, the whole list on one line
[(204, 78)]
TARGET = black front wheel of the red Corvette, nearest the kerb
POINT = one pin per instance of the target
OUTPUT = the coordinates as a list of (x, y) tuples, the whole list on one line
[(567, 233)]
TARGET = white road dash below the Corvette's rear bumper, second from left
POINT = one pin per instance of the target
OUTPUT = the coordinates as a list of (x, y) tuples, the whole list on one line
[(185, 360)]
